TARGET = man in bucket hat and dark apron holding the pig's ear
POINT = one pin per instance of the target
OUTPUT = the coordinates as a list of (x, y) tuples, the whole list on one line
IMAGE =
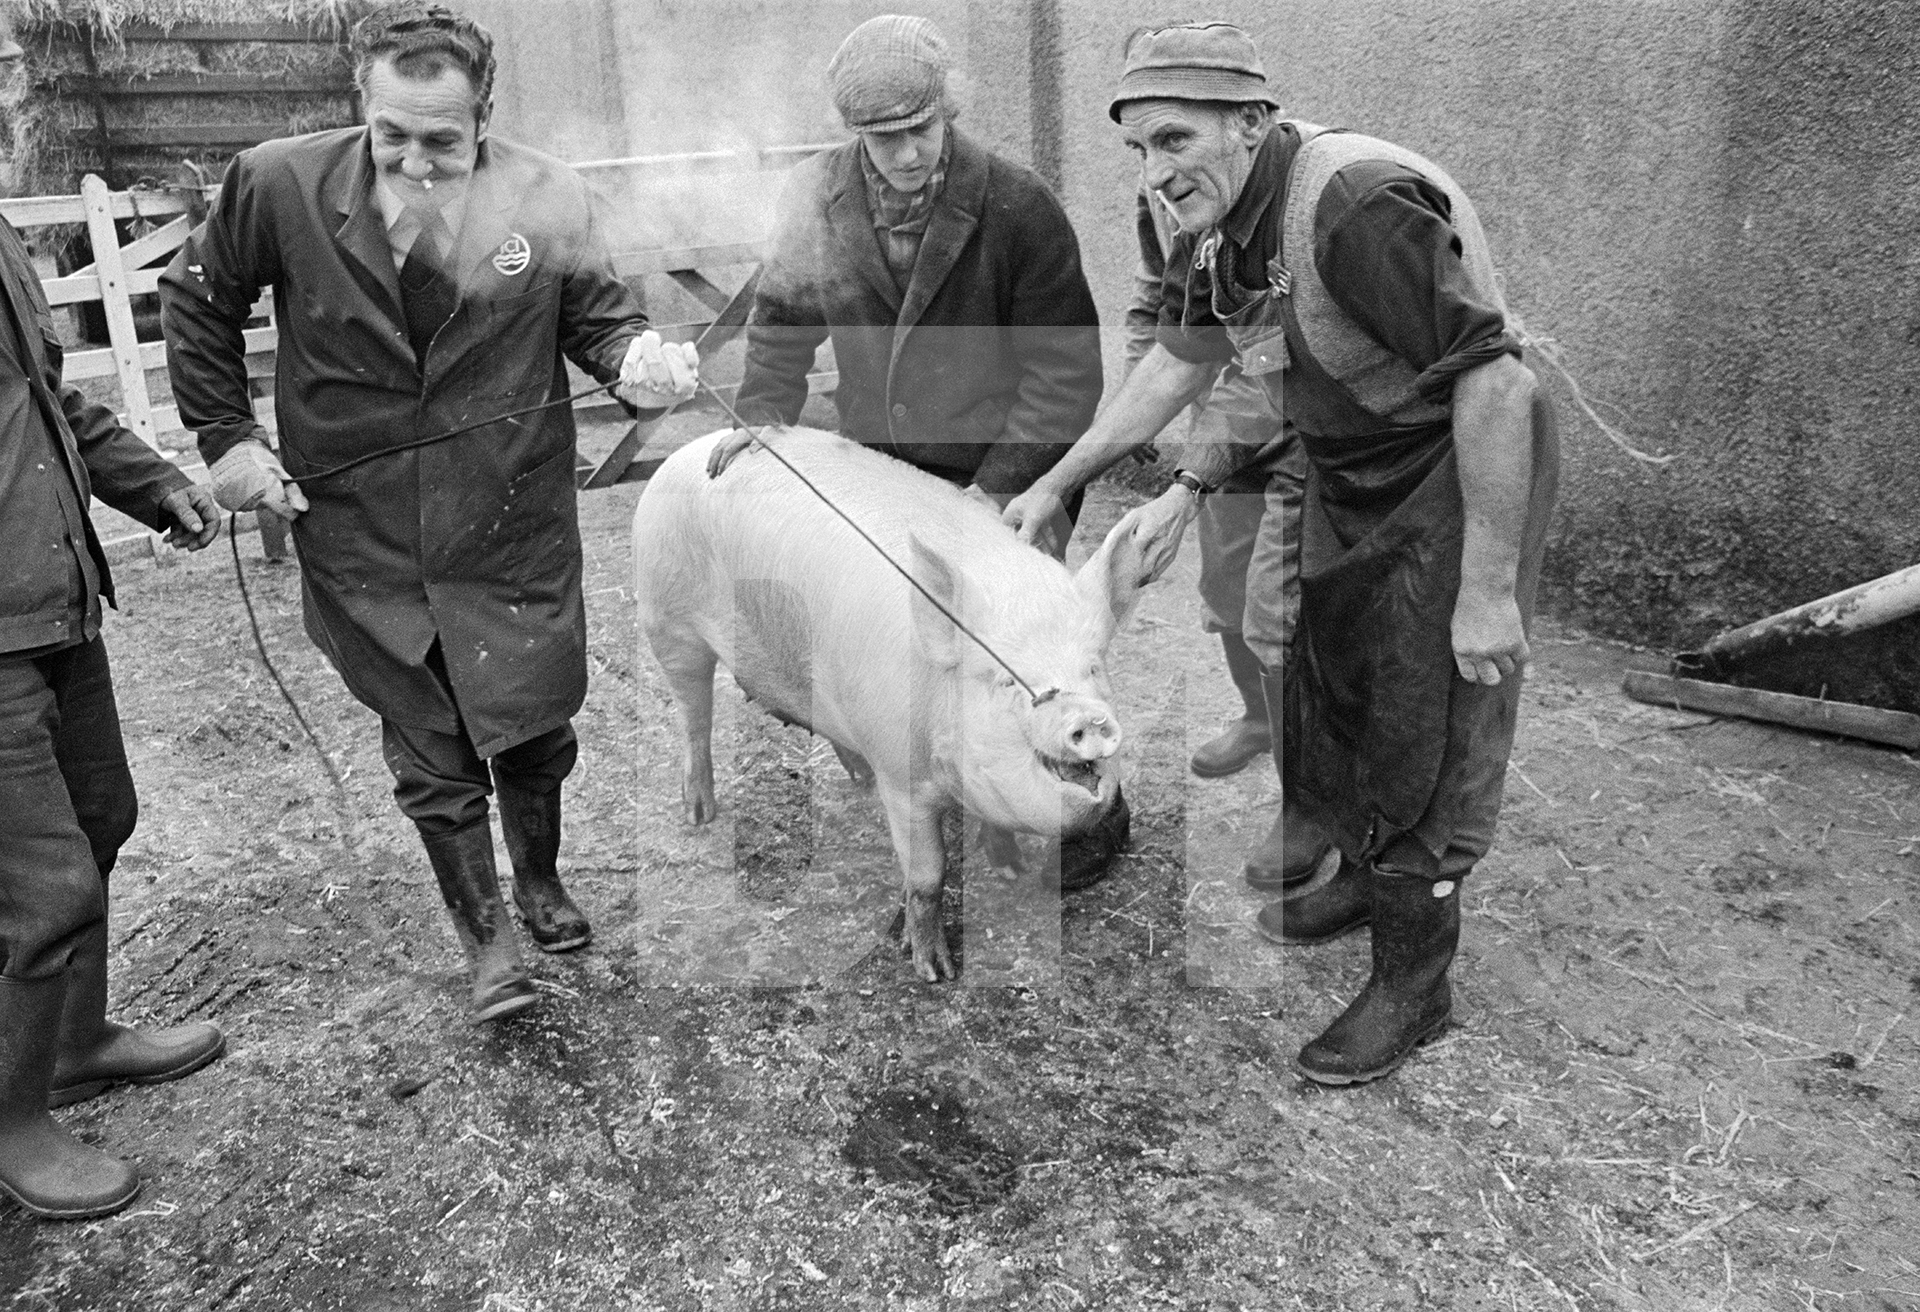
[(1353, 279)]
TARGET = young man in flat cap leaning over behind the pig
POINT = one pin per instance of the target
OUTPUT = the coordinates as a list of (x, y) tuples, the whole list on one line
[(951, 287)]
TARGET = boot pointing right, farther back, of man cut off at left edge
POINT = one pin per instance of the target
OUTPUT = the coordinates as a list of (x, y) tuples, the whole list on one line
[(97, 1052)]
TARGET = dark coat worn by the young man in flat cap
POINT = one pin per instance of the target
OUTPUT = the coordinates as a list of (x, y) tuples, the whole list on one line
[(984, 370)]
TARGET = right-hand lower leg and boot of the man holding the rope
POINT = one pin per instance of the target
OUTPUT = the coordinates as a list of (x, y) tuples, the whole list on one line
[(529, 789)]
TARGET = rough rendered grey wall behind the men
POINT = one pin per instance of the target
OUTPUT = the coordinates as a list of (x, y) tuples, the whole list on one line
[(1710, 207)]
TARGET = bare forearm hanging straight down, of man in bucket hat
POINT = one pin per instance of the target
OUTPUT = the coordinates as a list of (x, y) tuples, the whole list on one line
[(1493, 437)]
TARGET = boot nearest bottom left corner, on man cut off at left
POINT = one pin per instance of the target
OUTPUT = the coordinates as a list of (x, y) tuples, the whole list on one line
[(41, 1165)]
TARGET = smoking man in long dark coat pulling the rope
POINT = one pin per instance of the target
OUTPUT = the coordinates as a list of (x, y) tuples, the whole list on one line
[(427, 276)]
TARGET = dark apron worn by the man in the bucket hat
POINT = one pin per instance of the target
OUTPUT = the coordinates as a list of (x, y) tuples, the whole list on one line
[(1383, 741)]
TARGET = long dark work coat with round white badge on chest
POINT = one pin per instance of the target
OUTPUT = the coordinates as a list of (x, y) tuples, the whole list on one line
[(473, 541)]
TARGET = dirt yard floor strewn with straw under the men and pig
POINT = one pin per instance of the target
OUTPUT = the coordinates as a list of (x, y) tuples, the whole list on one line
[(1683, 1071)]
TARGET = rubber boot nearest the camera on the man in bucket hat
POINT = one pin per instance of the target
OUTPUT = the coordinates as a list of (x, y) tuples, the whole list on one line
[(1408, 998)]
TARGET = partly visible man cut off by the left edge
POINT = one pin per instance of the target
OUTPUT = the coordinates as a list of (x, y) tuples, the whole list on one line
[(66, 794)]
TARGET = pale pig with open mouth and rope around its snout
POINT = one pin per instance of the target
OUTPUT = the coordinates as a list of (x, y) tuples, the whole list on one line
[(756, 571)]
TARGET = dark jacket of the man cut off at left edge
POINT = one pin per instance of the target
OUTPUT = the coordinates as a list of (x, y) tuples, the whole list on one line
[(45, 533)]
